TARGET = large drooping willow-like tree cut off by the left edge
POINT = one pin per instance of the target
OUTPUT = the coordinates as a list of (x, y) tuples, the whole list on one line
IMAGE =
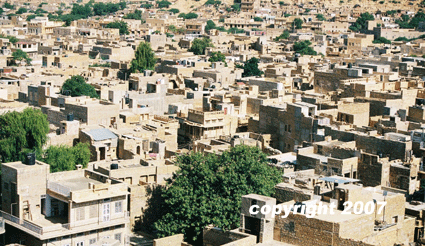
[(21, 132)]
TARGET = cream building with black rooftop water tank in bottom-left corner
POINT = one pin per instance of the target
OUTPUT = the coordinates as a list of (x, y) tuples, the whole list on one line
[(73, 208)]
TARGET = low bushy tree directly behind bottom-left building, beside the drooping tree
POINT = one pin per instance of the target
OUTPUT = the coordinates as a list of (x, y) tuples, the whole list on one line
[(64, 158)]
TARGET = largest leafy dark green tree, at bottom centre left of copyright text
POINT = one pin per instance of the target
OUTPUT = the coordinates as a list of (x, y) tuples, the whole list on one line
[(208, 189)]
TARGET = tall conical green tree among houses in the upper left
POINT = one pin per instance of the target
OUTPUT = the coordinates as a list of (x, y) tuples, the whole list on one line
[(144, 58)]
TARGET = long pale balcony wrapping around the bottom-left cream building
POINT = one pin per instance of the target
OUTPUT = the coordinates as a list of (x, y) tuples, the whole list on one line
[(51, 227)]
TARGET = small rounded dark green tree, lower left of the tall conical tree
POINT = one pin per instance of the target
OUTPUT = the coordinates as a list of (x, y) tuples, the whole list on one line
[(77, 86)]
